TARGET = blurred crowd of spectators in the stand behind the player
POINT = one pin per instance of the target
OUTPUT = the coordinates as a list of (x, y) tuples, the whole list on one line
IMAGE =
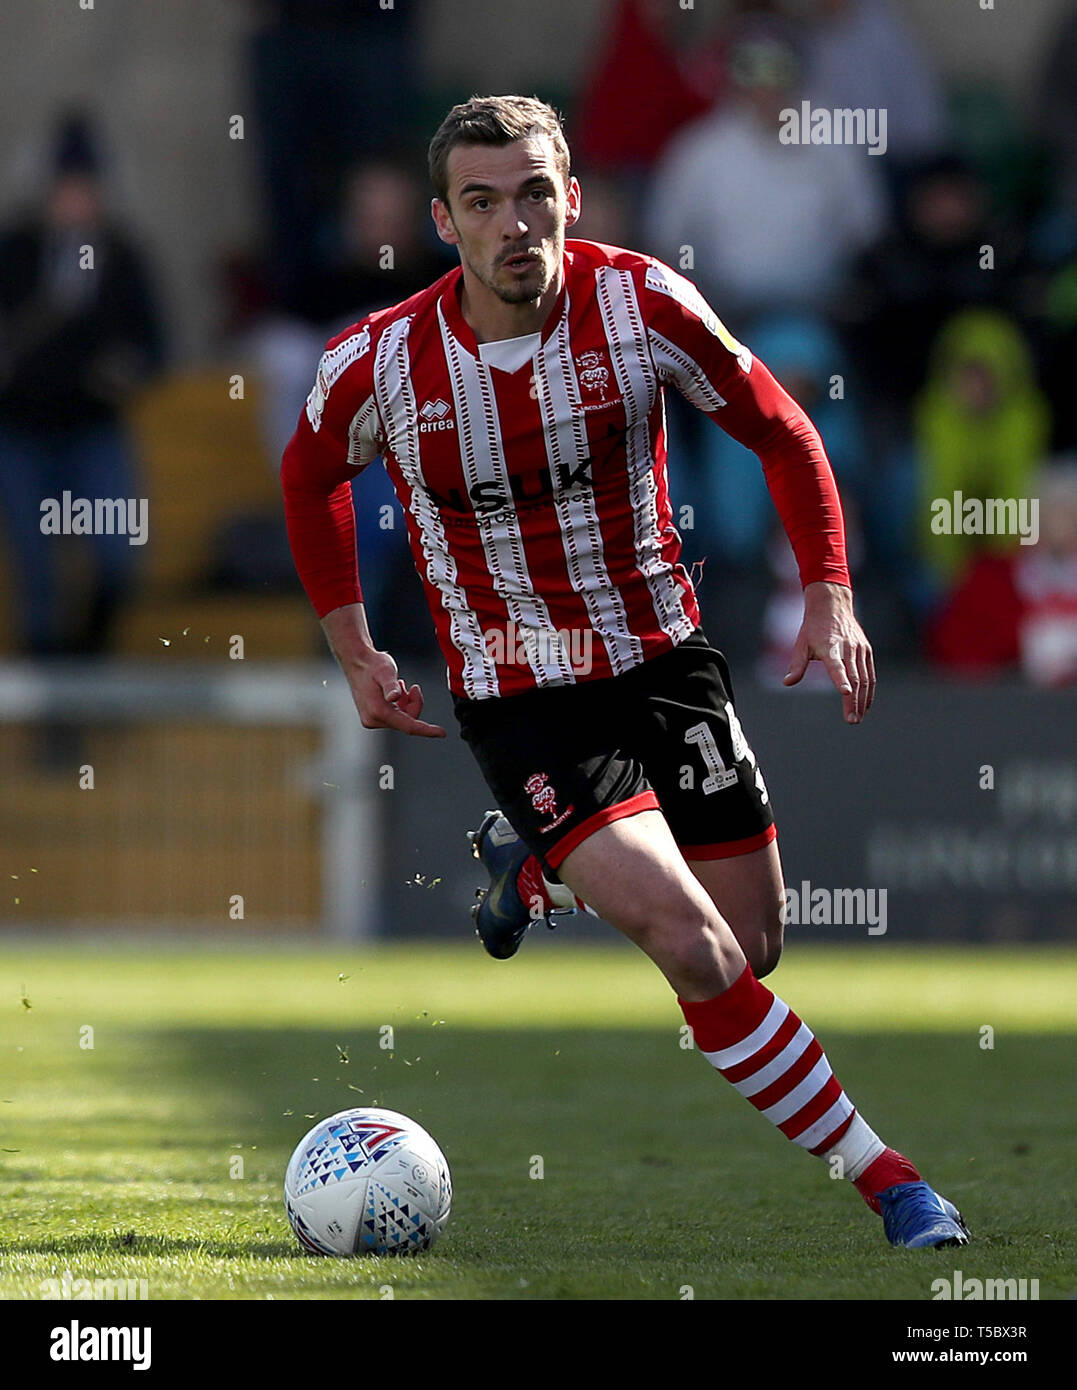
[(921, 304)]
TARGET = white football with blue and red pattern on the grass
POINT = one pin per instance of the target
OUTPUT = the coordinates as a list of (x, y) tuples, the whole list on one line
[(368, 1182)]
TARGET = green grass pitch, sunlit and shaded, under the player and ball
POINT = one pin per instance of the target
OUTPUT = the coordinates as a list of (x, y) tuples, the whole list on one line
[(657, 1174)]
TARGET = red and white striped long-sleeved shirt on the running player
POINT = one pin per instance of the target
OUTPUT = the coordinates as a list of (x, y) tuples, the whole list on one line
[(537, 501)]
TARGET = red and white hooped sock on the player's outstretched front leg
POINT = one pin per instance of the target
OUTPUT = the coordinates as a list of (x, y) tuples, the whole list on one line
[(773, 1060)]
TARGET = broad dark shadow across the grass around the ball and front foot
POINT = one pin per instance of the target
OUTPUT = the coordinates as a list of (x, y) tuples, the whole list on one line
[(625, 1121)]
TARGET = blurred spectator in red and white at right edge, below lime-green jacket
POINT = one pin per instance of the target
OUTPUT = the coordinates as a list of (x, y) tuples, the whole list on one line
[(1019, 610)]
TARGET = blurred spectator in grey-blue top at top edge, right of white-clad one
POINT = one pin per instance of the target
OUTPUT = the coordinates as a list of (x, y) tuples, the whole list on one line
[(860, 54)]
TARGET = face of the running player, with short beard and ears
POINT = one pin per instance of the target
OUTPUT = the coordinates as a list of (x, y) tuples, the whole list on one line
[(508, 213)]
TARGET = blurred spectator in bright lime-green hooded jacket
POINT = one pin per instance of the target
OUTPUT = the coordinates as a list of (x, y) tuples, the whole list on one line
[(982, 429)]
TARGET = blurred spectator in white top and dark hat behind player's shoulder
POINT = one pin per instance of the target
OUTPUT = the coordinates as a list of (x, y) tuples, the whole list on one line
[(772, 226)]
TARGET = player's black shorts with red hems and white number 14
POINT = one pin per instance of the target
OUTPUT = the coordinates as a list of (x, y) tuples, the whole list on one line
[(568, 760)]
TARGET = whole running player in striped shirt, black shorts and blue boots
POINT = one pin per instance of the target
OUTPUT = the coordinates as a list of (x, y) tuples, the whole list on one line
[(518, 405)]
